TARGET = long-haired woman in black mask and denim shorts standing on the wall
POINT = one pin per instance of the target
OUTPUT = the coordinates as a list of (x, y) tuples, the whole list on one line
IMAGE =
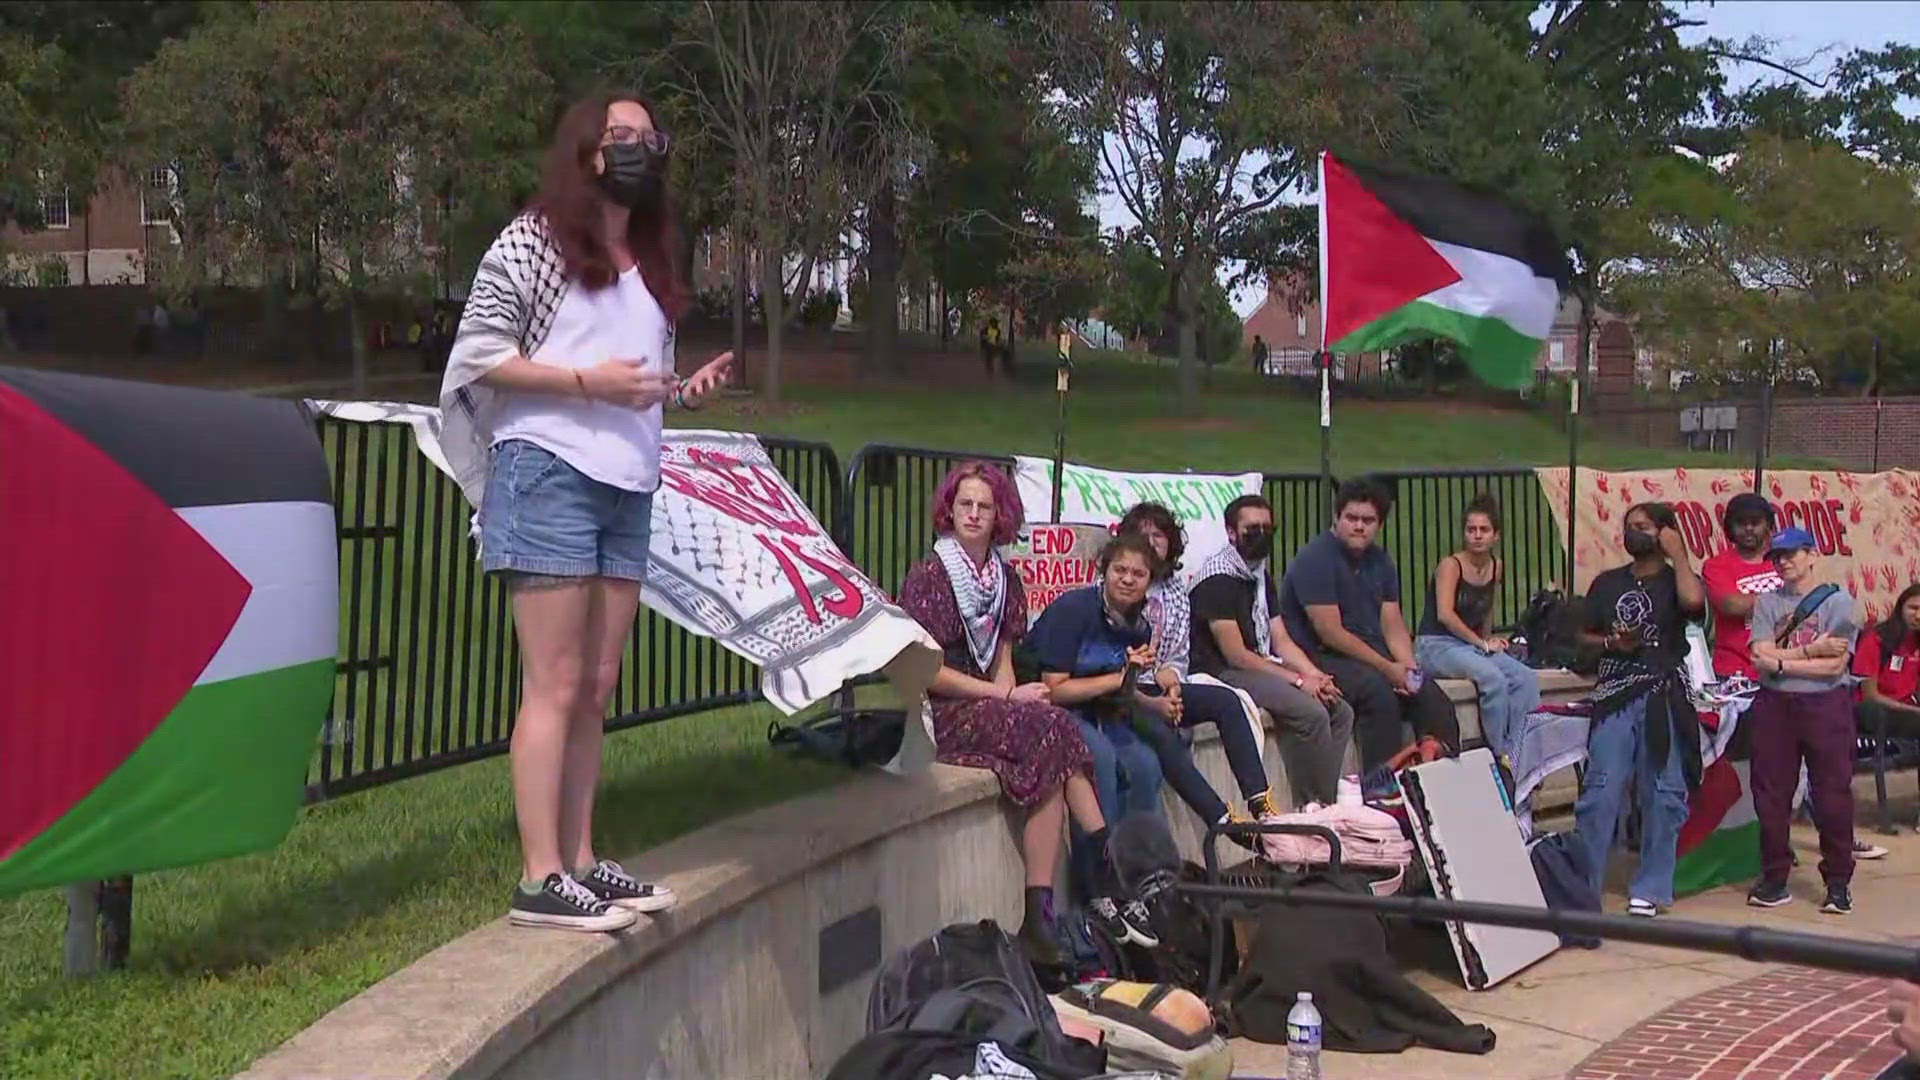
[(552, 424)]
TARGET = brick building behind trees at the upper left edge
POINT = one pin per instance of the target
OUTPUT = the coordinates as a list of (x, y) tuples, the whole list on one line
[(108, 239)]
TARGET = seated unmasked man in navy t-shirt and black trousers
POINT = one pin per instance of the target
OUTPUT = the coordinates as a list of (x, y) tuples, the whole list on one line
[(1341, 601)]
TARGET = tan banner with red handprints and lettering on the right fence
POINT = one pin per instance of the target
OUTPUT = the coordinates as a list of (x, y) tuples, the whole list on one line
[(1867, 524)]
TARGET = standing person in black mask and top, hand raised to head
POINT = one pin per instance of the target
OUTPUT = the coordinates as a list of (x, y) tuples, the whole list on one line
[(1646, 733)]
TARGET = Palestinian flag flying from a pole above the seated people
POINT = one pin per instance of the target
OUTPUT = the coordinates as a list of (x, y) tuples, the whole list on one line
[(1406, 258)]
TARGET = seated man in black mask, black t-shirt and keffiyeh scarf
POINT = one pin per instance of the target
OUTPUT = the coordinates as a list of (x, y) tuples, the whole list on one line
[(1239, 639)]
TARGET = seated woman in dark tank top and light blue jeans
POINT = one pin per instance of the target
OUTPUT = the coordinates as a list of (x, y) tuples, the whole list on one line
[(1456, 639)]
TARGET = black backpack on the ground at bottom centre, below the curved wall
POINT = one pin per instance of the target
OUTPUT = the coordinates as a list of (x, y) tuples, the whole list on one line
[(984, 966)]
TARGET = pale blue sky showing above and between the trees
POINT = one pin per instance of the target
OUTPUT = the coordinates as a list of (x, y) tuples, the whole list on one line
[(1798, 28)]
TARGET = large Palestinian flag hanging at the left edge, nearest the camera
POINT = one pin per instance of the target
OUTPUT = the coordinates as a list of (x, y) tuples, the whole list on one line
[(168, 624)]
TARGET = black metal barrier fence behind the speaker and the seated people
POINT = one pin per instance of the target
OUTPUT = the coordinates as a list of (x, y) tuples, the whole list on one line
[(429, 672)]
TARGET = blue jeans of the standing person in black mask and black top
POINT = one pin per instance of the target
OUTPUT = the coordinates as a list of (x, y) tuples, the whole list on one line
[(1620, 756)]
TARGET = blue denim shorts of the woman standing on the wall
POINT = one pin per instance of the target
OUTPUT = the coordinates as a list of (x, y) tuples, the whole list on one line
[(546, 518)]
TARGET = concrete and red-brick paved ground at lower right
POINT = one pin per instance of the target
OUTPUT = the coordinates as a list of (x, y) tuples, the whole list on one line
[(1658, 1014)]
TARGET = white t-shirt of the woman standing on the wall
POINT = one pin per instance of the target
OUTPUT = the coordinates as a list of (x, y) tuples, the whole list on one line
[(613, 445)]
